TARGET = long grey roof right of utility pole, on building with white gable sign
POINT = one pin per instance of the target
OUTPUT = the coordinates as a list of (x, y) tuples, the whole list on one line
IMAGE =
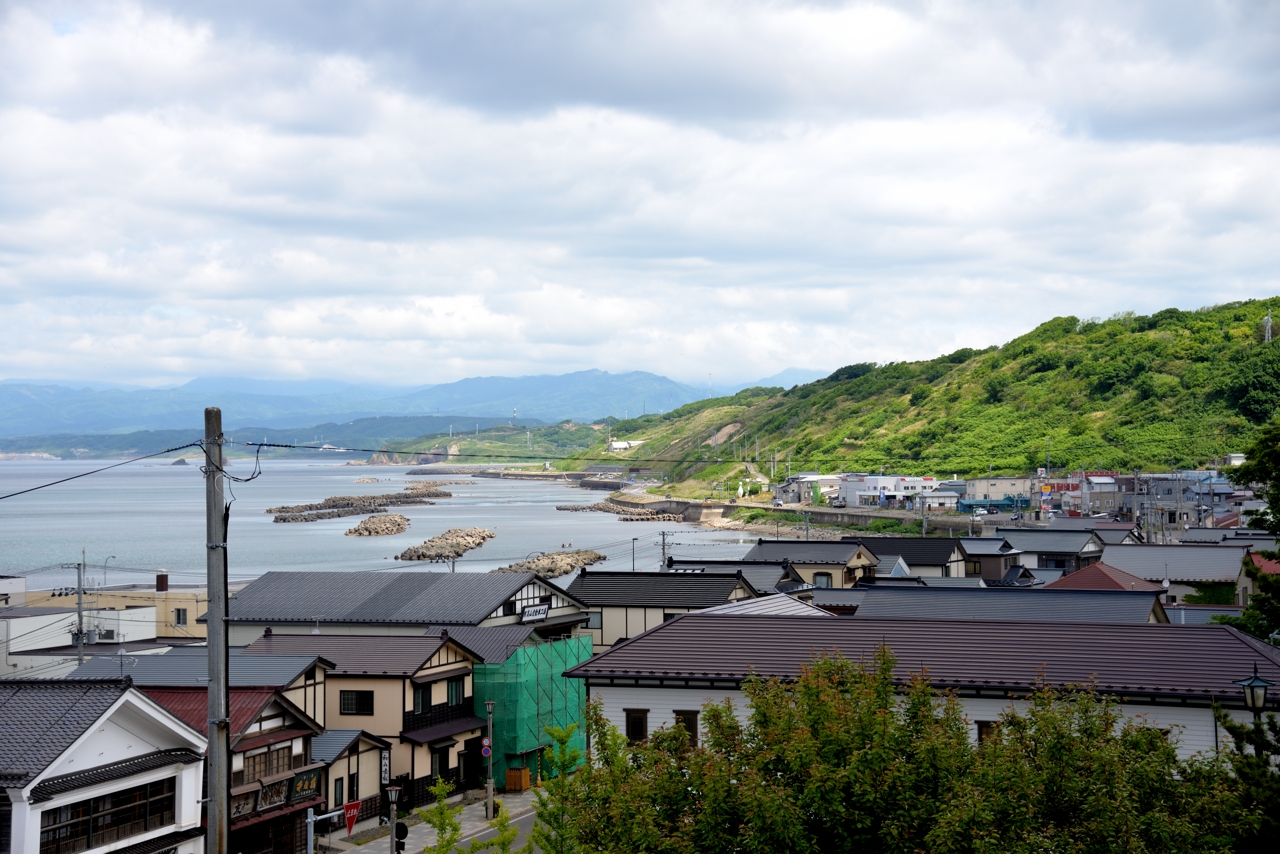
[(422, 599)]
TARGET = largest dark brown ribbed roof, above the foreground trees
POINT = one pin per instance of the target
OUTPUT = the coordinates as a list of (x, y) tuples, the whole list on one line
[(1014, 656)]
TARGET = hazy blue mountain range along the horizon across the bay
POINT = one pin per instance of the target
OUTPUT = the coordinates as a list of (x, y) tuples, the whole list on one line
[(47, 408)]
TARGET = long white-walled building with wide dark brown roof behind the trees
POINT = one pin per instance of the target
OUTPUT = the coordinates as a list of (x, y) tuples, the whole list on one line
[(1171, 675)]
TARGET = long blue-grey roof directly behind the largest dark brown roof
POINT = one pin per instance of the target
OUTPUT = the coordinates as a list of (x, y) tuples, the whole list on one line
[(1008, 604)]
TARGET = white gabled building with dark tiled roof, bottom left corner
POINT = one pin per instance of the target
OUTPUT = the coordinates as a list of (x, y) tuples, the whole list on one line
[(97, 766)]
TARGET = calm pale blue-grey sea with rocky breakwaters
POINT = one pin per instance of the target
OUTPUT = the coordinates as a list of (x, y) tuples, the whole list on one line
[(152, 518)]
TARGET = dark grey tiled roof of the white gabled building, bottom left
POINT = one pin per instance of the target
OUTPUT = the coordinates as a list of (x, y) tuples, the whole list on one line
[(40, 719)]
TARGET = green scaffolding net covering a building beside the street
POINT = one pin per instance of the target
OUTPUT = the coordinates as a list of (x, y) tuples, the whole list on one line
[(532, 693)]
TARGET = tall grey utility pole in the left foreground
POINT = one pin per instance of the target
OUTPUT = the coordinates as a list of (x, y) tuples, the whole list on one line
[(217, 839)]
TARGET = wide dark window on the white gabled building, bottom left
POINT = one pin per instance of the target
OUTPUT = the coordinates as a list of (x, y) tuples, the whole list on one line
[(100, 821)]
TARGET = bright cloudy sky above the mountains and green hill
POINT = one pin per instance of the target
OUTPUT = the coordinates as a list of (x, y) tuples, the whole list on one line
[(415, 193)]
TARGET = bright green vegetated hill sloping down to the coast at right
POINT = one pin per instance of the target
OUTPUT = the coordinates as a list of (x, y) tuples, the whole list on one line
[(1131, 392)]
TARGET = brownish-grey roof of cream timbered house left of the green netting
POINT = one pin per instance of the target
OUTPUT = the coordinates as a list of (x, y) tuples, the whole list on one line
[(353, 655)]
